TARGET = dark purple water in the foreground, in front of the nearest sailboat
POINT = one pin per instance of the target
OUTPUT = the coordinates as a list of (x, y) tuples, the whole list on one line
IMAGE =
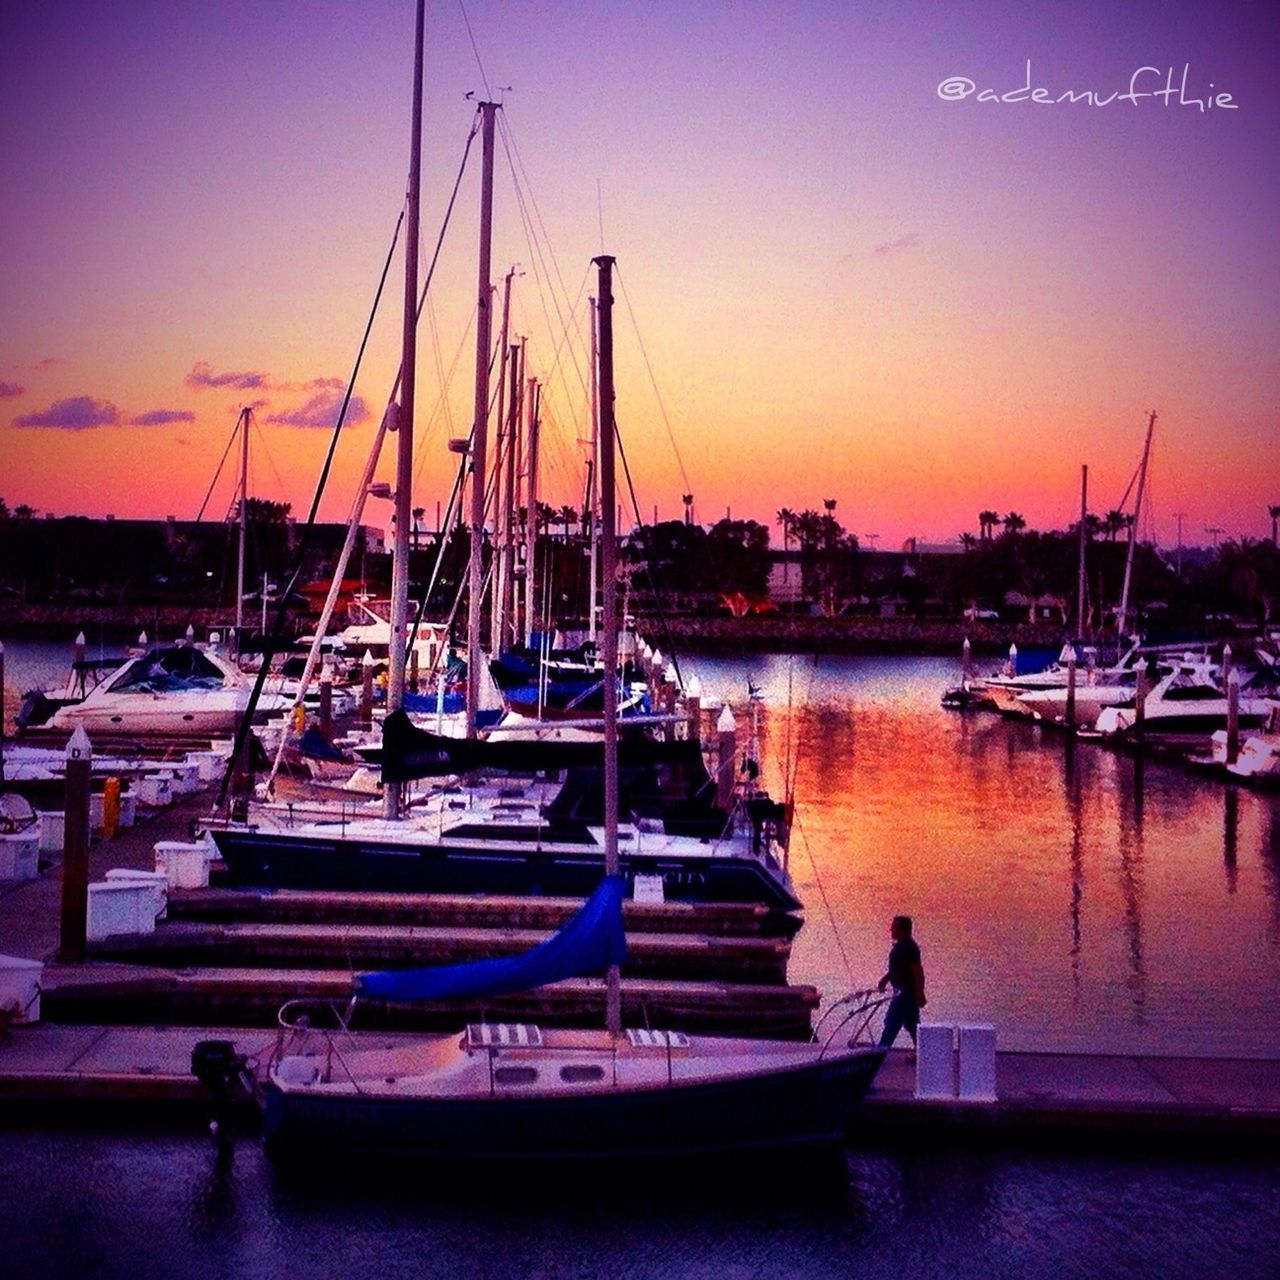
[(109, 1206)]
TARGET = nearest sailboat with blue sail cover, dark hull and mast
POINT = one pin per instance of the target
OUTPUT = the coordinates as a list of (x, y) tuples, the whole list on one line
[(519, 1091)]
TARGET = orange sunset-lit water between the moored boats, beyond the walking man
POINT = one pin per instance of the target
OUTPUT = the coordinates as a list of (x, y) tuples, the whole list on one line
[(1073, 895)]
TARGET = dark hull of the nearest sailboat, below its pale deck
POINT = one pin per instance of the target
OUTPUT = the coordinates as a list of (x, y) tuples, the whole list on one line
[(810, 1105)]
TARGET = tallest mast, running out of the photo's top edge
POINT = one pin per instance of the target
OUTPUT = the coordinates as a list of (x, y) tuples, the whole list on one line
[(405, 441)]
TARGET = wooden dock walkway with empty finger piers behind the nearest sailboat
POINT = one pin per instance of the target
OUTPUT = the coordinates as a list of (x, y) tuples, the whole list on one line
[(118, 1030)]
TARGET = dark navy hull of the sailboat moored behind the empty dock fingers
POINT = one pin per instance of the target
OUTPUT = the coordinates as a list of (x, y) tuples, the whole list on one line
[(284, 861)]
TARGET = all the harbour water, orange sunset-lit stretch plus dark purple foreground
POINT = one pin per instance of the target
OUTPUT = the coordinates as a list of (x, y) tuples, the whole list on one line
[(1072, 900)]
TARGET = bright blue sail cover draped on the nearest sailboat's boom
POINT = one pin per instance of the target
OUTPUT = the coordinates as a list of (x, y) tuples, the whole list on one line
[(588, 943)]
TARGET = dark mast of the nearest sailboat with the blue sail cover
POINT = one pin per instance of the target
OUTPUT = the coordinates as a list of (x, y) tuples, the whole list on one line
[(610, 619)]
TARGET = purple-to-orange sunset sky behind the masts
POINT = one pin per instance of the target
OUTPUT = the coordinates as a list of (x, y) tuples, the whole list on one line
[(857, 262)]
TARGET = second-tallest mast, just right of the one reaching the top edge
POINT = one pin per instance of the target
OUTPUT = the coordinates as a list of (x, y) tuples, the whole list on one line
[(481, 420)]
